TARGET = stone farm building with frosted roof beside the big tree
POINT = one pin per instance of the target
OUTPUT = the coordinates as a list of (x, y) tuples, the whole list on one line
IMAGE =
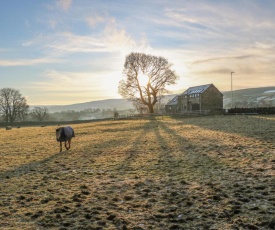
[(204, 98)]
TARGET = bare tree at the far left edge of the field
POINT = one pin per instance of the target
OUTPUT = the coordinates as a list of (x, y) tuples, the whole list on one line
[(12, 103)]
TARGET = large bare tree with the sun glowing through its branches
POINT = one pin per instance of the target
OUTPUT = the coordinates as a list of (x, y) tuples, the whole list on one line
[(146, 76)]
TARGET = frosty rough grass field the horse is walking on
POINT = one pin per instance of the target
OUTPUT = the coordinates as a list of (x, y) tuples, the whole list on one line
[(190, 173)]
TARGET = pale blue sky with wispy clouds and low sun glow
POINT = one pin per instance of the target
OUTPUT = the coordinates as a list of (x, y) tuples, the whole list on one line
[(60, 52)]
